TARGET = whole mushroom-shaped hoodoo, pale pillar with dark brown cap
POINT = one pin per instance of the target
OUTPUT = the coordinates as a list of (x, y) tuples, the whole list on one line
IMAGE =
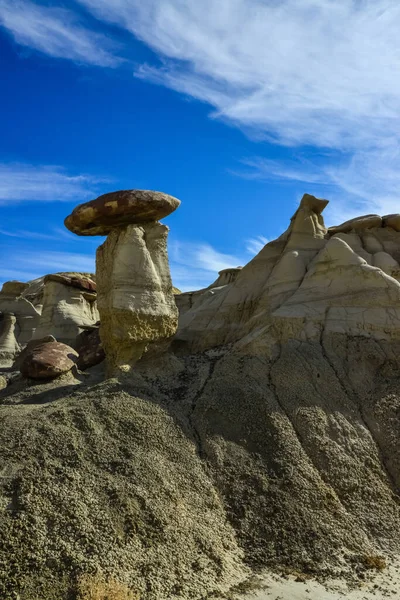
[(135, 295)]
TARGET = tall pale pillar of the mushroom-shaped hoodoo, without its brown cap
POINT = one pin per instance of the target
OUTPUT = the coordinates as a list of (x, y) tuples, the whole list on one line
[(135, 298)]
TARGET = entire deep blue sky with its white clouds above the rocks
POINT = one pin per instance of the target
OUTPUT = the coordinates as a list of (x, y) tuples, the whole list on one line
[(237, 107)]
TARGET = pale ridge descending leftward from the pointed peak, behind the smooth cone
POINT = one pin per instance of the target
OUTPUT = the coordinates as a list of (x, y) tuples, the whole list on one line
[(226, 314)]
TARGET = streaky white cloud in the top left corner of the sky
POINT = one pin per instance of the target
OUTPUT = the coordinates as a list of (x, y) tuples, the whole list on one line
[(56, 32)]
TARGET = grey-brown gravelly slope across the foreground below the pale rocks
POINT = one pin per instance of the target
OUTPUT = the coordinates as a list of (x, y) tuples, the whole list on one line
[(183, 475)]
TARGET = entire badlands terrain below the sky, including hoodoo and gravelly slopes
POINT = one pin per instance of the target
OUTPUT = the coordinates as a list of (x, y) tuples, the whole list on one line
[(180, 445)]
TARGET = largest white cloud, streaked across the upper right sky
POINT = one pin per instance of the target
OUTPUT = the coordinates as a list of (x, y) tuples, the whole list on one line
[(312, 73)]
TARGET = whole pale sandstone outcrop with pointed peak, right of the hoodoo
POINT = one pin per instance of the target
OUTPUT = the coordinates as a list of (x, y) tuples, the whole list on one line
[(309, 281)]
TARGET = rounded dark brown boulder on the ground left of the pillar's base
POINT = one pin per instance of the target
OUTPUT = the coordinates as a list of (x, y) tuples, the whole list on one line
[(48, 360)]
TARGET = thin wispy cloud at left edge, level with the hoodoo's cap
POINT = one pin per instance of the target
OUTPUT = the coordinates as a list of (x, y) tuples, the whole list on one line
[(23, 182)]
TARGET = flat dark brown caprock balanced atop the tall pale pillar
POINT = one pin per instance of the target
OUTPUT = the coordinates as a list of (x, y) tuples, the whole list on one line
[(117, 209)]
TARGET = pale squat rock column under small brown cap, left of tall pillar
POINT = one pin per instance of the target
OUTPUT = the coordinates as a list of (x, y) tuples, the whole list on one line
[(66, 311)]
